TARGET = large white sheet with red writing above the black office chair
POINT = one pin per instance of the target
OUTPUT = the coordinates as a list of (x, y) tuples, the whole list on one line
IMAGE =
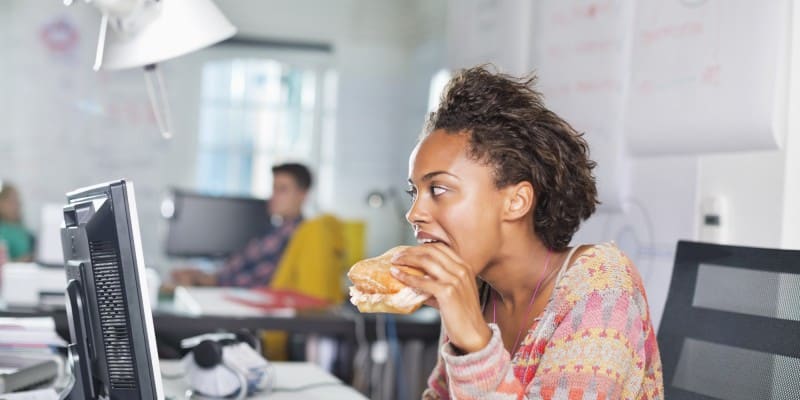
[(707, 76)]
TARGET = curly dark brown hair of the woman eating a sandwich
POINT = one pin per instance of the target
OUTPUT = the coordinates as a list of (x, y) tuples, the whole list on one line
[(511, 129)]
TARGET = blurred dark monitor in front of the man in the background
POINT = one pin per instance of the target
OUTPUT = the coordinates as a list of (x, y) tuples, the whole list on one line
[(212, 226)]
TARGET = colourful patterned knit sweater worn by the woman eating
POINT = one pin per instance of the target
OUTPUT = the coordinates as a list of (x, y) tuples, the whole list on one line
[(591, 351)]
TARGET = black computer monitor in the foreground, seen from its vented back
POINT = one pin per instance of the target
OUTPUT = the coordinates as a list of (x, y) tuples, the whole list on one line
[(112, 348)]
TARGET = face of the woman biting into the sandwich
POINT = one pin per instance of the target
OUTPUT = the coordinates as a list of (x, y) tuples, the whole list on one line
[(455, 200)]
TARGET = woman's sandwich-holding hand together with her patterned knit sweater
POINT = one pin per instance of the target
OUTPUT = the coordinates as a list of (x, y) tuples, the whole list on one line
[(591, 343)]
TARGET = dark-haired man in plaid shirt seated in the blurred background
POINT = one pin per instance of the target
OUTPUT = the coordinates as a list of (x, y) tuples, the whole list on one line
[(255, 265)]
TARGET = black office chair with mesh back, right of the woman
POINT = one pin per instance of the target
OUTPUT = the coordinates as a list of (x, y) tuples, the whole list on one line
[(731, 325)]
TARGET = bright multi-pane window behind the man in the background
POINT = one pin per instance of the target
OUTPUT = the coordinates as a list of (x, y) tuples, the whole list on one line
[(258, 112)]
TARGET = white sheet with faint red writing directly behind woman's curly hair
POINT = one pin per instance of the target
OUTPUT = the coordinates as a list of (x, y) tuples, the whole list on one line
[(582, 59)]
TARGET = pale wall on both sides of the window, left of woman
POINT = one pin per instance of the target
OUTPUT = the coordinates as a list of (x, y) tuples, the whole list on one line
[(66, 126)]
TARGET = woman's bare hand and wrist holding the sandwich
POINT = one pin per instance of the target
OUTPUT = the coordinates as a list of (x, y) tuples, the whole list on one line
[(454, 289)]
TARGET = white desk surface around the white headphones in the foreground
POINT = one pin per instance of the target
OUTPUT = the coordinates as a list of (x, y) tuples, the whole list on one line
[(288, 375)]
